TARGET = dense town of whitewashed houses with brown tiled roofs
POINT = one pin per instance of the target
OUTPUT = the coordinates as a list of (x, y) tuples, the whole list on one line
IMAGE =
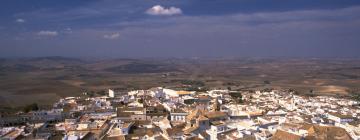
[(161, 113)]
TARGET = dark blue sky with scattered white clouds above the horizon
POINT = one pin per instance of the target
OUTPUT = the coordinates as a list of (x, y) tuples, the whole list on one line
[(180, 28)]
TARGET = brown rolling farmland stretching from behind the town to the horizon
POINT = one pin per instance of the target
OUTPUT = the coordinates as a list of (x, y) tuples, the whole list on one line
[(45, 80)]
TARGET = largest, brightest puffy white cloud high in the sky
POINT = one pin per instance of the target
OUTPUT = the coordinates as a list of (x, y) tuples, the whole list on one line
[(159, 10)]
